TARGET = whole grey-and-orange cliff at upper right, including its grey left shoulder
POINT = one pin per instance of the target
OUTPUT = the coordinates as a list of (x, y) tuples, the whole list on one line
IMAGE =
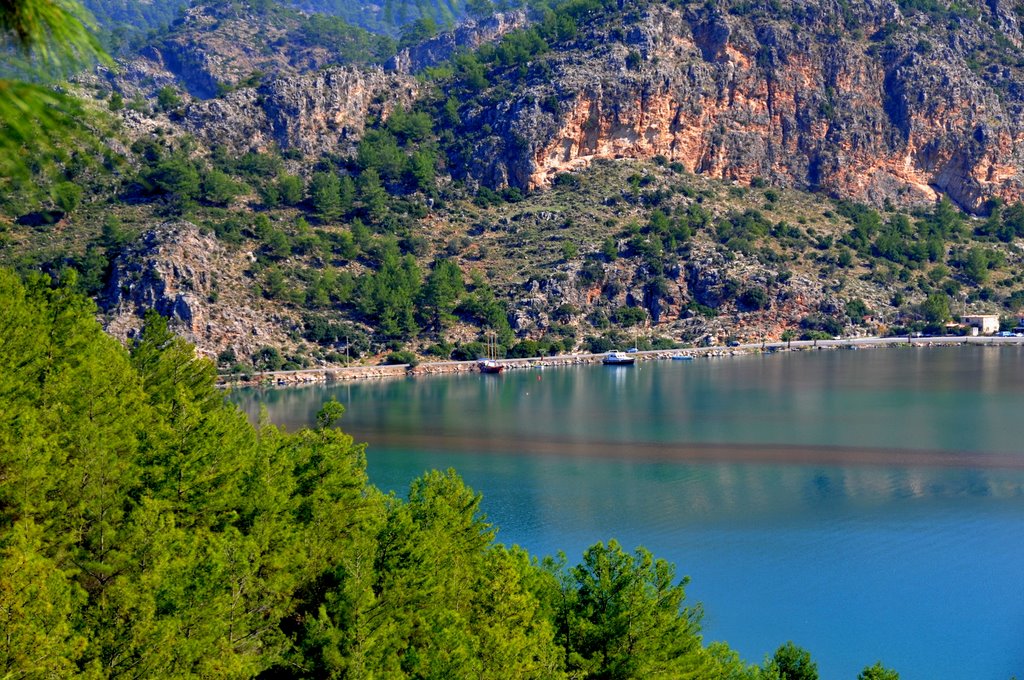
[(859, 100)]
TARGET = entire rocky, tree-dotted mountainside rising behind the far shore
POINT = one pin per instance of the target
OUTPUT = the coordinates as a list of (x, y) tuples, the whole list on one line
[(701, 173)]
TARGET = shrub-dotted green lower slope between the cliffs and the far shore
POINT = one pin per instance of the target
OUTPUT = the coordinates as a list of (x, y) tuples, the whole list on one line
[(344, 263)]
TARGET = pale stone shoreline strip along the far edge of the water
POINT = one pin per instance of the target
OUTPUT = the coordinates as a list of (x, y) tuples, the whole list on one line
[(379, 372)]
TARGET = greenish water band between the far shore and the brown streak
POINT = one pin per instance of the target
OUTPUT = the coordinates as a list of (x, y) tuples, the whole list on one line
[(944, 400)]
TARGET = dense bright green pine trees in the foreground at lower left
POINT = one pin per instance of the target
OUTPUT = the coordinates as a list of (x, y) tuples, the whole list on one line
[(148, 530)]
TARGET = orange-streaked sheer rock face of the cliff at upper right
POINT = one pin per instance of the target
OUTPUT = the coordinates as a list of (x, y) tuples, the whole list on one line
[(735, 100)]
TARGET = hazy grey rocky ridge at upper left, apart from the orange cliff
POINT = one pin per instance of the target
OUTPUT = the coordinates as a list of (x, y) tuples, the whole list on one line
[(310, 93)]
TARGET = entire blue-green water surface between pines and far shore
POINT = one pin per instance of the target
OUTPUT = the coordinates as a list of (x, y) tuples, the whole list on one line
[(867, 505)]
